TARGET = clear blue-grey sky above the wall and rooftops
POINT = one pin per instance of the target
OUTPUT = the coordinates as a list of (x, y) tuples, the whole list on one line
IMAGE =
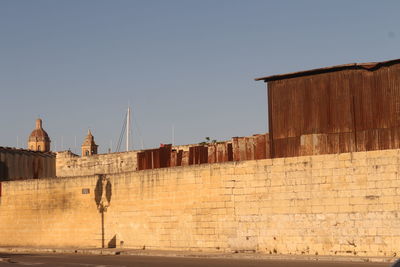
[(191, 64)]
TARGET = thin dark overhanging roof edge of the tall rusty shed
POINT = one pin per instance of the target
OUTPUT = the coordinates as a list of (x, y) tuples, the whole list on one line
[(365, 66)]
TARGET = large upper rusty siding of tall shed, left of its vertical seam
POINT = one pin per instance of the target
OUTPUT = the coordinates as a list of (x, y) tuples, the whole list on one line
[(309, 105)]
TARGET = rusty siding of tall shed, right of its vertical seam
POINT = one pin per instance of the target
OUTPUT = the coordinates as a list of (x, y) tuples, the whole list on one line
[(377, 108)]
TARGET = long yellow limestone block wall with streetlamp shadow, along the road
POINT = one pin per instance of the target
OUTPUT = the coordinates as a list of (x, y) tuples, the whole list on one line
[(337, 204)]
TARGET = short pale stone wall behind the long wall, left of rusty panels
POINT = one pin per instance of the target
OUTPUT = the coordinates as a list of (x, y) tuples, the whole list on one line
[(69, 164)]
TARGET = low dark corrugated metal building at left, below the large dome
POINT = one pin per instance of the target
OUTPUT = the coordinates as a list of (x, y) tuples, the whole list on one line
[(18, 164)]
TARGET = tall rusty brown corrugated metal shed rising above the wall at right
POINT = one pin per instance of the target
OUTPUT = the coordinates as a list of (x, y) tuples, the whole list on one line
[(353, 107)]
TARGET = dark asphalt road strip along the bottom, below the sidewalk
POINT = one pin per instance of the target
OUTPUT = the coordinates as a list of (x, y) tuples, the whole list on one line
[(55, 260)]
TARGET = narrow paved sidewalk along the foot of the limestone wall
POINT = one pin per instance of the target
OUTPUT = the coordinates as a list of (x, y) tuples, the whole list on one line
[(169, 253)]
